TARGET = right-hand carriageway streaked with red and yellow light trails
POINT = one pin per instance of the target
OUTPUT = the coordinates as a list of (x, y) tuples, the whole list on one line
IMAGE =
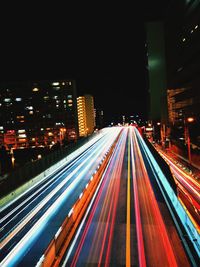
[(128, 223)]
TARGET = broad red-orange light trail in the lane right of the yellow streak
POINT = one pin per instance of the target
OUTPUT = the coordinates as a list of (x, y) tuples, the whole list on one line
[(153, 218)]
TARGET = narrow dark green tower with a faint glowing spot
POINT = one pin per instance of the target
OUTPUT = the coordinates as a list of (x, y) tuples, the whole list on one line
[(157, 71)]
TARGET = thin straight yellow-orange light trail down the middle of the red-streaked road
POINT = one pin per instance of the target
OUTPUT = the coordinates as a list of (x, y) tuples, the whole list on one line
[(128, 213)]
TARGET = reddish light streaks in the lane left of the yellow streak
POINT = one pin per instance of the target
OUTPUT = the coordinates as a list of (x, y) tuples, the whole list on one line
[(102, 238)]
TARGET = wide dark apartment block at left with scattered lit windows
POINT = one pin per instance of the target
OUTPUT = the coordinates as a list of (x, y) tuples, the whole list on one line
[(38, 113)]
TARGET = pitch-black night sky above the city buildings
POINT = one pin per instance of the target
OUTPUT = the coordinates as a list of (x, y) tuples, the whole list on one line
[(101, 46)]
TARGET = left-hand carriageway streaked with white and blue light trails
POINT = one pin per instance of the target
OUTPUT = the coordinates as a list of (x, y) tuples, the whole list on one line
[(29, 223)]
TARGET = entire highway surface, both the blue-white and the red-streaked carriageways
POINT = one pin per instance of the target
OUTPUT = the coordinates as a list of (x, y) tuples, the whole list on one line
[(127, 222)]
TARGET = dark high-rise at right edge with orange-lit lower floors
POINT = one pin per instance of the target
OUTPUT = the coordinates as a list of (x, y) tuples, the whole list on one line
[(182, 39)]
